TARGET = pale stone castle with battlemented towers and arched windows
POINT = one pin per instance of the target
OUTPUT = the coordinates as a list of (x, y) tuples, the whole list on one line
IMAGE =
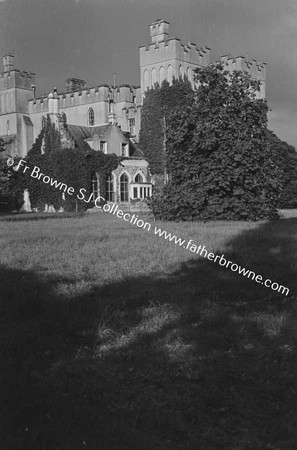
[(105, 117)]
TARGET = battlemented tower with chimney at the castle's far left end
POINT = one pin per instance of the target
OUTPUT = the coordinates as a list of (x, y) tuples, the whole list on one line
[(16, 89)]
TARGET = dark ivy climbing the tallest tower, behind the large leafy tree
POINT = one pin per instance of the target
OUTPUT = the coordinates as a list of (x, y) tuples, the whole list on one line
[(158, 103)]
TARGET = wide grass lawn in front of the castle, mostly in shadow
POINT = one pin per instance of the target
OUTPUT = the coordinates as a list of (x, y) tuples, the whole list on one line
[(114, 338)]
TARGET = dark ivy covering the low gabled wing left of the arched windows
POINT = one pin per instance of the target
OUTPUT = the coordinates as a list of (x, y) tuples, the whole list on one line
[(73, 167)]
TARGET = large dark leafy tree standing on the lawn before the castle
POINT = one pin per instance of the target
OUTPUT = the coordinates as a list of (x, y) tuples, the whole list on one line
[(218, 158)]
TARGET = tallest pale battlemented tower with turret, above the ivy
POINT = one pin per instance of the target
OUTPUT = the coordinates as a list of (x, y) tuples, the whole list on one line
[(166, 57)]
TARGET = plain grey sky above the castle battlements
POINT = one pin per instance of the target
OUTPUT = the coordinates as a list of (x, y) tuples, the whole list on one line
[(91, 39)]
